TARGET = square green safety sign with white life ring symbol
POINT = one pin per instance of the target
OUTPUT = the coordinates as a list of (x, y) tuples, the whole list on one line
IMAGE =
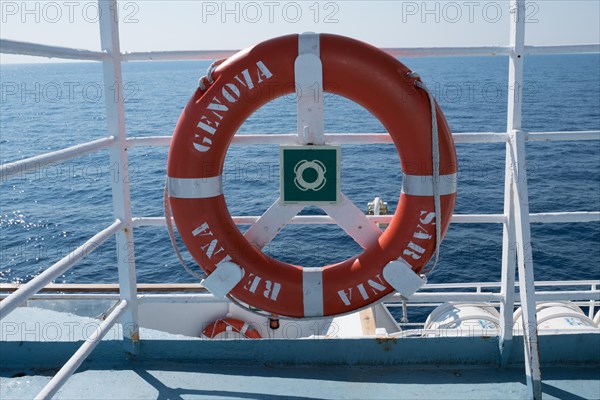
[(310, 174)]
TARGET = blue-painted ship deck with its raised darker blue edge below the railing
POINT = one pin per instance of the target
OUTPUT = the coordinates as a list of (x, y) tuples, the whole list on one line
[(169, 366)]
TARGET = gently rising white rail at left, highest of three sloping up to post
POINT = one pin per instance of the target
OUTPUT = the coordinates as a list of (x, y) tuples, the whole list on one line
[(11, 169)]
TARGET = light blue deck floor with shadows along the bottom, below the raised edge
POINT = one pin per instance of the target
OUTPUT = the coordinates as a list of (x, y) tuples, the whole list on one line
[(185, 380)]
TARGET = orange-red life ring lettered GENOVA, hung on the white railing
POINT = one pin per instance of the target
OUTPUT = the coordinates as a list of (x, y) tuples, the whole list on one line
[(250, 79)]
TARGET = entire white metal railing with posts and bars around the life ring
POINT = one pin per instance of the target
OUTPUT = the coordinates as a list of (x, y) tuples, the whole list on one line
[(516, 218)]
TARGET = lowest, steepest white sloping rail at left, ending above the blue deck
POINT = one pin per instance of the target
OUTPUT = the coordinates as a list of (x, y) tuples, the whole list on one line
[(82, 353)]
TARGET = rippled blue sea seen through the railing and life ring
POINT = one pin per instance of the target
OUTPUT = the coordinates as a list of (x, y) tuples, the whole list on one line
[(48, 212)]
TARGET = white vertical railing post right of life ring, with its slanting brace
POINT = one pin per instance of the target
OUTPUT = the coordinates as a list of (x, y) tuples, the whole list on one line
[(518, 207)]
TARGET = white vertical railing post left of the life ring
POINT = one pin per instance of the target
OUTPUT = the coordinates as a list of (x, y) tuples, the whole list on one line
[(115, 116)]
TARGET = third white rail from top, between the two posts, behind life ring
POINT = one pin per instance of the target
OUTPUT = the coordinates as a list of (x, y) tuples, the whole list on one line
[(325, 219)]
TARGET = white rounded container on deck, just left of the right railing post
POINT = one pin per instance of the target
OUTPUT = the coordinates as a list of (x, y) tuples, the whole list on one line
[(463, 319)]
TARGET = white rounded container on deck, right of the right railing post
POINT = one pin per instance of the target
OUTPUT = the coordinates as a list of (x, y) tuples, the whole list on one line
[(557, 316)]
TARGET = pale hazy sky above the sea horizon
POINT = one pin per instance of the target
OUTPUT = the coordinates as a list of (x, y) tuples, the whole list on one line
[(186, 25)]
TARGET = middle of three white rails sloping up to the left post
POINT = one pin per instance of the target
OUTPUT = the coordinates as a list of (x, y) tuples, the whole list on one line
[(36, 284)]
